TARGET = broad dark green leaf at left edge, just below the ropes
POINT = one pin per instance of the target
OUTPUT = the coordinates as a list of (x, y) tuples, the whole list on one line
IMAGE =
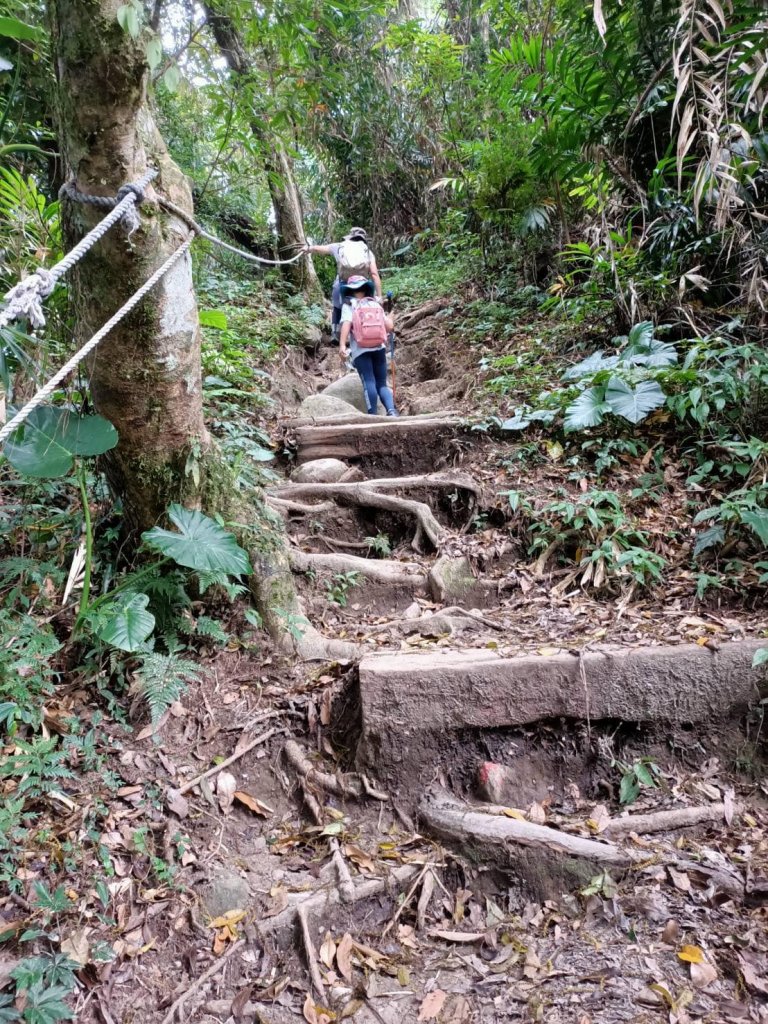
[(49, 442)]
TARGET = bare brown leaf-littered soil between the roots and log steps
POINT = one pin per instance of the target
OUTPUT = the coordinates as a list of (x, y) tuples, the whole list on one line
[(465, 941)]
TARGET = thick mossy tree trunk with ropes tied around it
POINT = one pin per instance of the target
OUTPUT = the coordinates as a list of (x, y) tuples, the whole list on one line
[(146, 375)]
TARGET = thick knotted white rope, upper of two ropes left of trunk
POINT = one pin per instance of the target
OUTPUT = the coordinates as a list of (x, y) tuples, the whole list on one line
[(26, 298)]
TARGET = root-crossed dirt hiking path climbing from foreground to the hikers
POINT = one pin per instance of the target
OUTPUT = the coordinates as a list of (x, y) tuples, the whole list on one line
[(303, 890)]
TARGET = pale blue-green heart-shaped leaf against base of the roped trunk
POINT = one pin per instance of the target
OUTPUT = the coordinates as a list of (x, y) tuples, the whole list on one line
[(201, 544)]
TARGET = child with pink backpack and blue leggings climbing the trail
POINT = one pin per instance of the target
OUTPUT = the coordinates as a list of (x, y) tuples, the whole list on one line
[(365, 328)]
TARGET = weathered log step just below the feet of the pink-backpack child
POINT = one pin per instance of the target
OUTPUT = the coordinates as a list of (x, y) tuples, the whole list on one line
[(422, 440)]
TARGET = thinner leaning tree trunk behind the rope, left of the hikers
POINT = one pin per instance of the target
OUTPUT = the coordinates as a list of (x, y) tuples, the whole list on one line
[(281, 179)]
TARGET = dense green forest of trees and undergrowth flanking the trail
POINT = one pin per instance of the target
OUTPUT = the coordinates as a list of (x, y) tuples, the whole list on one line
[(584, 186)]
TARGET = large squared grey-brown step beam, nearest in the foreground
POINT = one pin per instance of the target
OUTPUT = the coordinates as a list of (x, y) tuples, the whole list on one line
[(411, 702)]
